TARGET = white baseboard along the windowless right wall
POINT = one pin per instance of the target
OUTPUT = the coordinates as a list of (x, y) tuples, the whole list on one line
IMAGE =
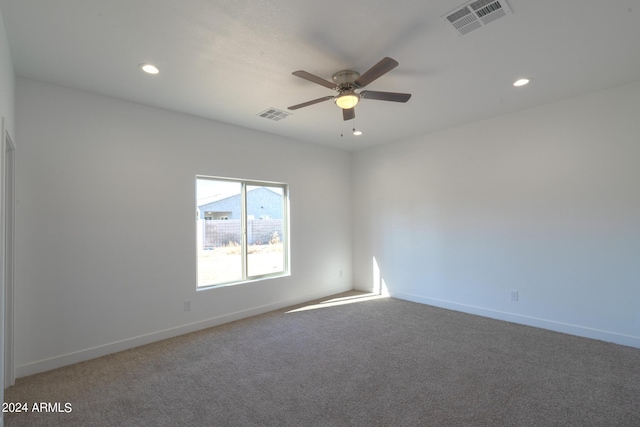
[(581, 331)]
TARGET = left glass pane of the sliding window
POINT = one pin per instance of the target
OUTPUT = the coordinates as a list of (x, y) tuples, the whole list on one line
[(219, 231)]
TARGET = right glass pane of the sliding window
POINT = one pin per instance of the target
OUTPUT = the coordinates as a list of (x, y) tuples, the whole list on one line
[(265, 229)]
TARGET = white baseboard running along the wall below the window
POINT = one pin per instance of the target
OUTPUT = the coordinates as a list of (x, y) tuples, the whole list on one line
[(126, 344)]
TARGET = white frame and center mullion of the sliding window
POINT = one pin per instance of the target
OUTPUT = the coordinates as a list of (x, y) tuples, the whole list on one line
[(244, 244)]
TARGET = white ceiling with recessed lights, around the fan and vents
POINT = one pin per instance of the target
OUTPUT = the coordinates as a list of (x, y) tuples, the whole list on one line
[(231, 60)]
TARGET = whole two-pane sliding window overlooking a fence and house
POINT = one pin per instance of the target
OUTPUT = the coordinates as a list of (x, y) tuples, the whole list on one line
[(242, 230)]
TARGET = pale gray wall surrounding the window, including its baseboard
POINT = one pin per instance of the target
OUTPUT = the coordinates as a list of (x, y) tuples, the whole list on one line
[(97, 274)]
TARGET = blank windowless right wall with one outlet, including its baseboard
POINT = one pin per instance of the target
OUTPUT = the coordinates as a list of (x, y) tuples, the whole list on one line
[(544, 201)]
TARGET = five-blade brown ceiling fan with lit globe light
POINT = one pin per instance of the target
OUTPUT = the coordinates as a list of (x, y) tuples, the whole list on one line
[(347, 82)]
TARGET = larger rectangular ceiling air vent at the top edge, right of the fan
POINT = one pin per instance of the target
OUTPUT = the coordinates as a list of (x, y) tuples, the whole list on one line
[(475, 14)]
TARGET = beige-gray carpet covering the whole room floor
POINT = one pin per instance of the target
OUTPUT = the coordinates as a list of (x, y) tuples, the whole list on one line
[(363, 362)]
